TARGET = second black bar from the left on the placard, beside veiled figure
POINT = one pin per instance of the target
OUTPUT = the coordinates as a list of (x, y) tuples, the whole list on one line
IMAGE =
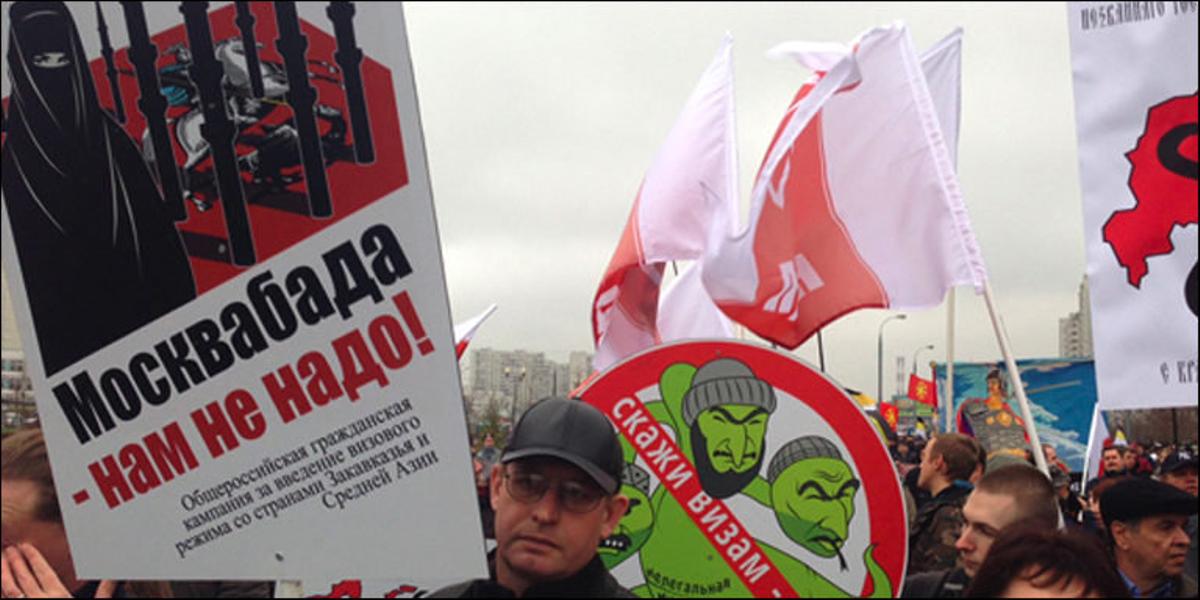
[(145, 55)]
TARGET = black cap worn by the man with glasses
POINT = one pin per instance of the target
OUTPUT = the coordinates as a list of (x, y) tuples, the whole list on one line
[(573, 431)]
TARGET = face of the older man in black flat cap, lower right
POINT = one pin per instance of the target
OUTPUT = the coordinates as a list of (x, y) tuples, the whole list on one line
[(1157, 547)]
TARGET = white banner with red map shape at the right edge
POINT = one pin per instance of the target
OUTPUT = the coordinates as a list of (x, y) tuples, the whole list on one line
[(1136, 107)]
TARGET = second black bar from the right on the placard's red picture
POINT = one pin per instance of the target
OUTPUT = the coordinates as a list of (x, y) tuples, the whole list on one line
[(293, 46)]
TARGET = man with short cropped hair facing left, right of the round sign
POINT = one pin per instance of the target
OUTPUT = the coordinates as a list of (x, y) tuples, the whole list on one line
[(1007, 496)]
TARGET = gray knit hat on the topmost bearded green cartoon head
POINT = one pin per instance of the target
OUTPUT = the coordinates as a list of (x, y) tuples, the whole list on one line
[(725, 382)]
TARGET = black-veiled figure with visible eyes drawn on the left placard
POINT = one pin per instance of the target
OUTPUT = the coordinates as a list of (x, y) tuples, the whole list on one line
[(99, 254)]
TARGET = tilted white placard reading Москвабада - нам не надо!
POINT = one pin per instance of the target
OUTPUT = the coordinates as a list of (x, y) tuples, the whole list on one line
[(220, 237)]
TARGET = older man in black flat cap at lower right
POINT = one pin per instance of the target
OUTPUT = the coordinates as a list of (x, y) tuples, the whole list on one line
[(1147, 523)]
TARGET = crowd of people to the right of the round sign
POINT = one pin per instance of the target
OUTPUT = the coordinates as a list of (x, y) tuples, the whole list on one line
[(981, 530)]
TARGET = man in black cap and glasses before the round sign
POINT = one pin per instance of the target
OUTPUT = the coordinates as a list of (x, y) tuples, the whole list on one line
[(556, 497)]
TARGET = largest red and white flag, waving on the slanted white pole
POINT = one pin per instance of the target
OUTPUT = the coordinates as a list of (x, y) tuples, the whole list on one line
[(857, 203)]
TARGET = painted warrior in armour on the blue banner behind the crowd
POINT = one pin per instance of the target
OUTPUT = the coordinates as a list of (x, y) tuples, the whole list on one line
[(993, 422)]
